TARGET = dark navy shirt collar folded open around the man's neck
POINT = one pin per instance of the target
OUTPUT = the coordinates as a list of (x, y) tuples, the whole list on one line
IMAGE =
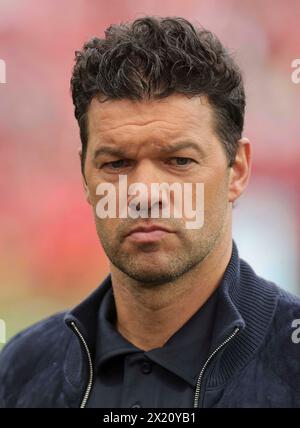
[(183, 354)]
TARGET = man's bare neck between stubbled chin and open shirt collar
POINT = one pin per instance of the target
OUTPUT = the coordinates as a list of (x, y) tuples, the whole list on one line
[(148, 317)]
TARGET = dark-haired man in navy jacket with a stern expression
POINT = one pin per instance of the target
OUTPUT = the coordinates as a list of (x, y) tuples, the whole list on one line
[(181, 321)]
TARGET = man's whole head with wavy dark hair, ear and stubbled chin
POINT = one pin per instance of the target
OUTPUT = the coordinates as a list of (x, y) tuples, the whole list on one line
[(148, 86)]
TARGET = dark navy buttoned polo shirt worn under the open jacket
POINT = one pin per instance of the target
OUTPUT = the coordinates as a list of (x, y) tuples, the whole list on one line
[(126, 376)]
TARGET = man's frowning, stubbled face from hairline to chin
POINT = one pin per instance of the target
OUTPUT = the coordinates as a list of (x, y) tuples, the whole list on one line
[(144, 133)]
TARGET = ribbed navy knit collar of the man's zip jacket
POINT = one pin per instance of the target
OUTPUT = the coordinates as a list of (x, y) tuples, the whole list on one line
[(246, 302)]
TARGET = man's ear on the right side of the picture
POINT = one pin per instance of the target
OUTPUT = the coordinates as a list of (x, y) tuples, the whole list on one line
[(240, 170)]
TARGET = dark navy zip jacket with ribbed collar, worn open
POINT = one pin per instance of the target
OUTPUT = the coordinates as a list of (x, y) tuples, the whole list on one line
[(253, 360)]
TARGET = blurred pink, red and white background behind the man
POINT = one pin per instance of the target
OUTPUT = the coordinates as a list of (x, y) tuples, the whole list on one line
[(50, 257)]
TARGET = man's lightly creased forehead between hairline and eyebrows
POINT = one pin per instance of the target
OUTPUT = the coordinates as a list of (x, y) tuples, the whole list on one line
[(170, 118)]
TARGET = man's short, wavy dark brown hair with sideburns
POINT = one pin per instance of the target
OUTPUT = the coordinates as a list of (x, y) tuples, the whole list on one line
[(154, 57)]
